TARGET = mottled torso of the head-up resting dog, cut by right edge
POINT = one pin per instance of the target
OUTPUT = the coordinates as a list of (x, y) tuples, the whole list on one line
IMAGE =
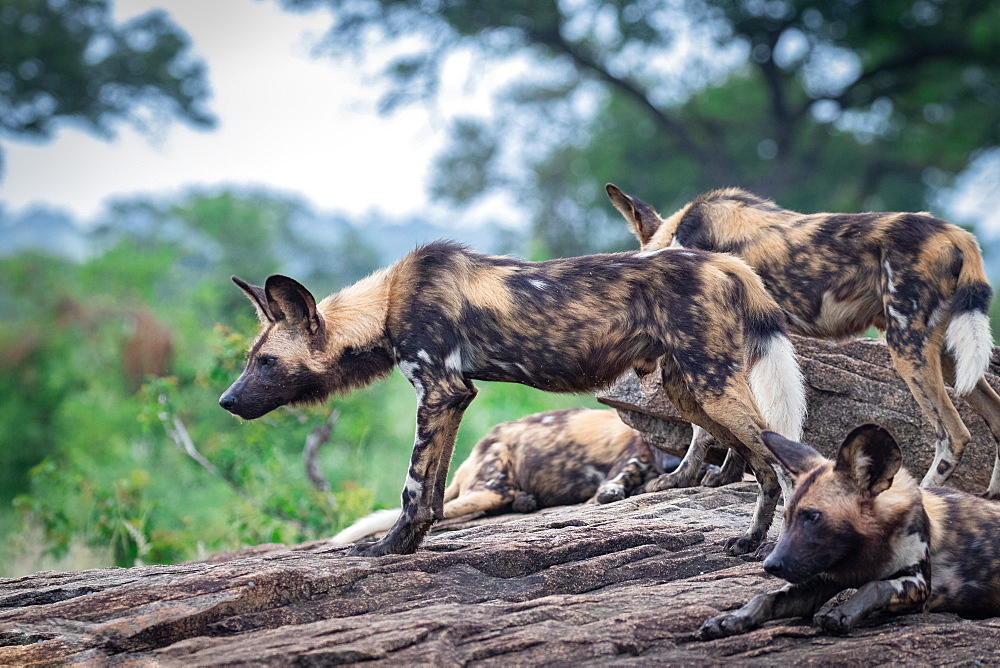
[(965, 552)]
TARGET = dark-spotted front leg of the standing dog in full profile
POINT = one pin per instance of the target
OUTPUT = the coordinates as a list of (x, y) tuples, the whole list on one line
[(441, 405)]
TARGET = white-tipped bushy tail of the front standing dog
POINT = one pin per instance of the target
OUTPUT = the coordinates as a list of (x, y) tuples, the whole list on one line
[(776, 380)]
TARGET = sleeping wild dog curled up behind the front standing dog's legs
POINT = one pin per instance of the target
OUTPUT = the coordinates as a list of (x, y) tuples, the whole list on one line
[(547, 459)]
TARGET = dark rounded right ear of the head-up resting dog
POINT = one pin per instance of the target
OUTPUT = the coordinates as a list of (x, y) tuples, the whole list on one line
[(871, 456)]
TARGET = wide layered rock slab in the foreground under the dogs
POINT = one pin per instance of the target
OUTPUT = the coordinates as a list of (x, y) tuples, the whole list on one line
[(624, 584)]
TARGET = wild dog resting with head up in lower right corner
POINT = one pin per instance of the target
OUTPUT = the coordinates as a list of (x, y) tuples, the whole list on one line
[(863, 522)]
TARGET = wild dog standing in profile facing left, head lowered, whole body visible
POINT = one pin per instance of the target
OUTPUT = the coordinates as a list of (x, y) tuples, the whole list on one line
[(447, 316)]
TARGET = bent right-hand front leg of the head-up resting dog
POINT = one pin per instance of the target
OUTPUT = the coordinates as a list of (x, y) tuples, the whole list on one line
[(909, 591)]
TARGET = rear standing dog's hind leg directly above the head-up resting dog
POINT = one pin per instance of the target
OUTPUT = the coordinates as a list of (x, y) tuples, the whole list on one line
[(916, 354)]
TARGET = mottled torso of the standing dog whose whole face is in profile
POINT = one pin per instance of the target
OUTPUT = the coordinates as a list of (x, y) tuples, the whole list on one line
[(573, 324)]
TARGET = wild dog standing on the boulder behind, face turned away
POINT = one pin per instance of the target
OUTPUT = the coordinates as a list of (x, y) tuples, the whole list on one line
[(917, 278)]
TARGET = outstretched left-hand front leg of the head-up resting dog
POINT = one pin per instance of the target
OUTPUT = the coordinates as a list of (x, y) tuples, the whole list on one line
[(792, 600)]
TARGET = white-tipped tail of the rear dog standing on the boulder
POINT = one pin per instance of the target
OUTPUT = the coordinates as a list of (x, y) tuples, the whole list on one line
[(968, 338)]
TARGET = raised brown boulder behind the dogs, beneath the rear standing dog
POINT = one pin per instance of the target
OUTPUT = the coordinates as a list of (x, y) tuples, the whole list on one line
[(847, 383)]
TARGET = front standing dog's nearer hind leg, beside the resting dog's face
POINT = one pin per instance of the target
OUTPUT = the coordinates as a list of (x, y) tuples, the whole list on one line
[(735, 422)]
